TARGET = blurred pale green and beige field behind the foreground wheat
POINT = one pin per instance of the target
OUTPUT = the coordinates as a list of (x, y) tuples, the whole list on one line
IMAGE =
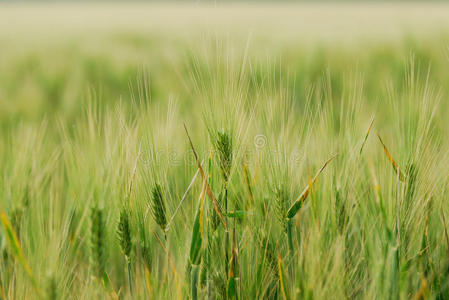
[(53, 54)]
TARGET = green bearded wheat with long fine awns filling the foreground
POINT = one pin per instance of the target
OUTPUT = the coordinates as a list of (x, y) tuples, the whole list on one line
[(92, 210)]
